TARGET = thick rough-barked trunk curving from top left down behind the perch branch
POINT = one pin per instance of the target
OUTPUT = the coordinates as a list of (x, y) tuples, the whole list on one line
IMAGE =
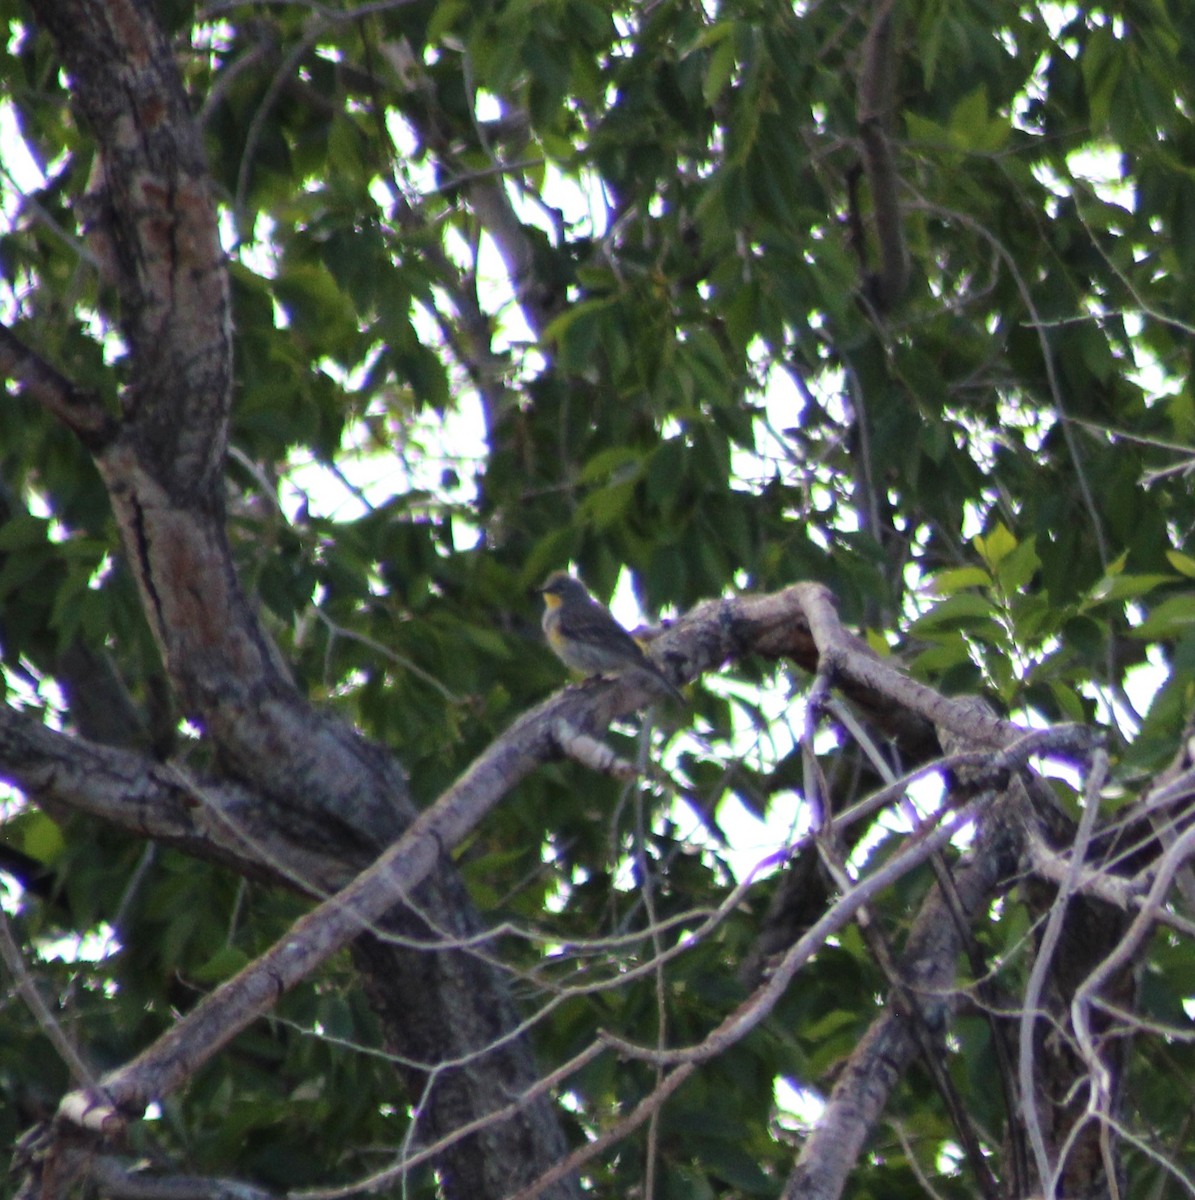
[(154, 231)]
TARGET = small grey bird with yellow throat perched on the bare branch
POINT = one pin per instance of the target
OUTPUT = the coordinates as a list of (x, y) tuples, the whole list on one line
[(587, 638)]
